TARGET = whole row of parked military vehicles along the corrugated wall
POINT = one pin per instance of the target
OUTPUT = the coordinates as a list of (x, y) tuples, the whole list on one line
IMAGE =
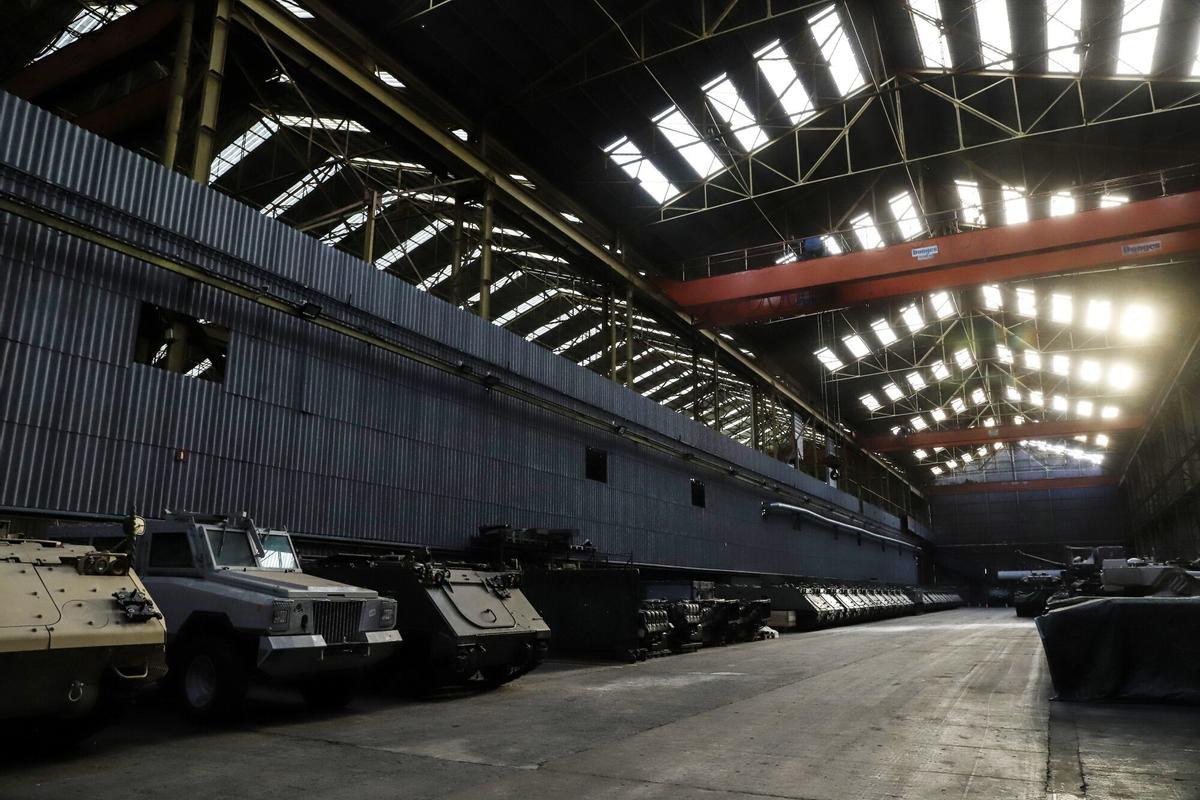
[(207, 605)]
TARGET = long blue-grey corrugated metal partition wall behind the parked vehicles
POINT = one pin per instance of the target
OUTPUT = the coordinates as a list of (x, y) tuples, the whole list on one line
[(315, 431)]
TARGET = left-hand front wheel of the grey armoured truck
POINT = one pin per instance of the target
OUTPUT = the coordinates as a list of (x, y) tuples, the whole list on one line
[(211, 678)]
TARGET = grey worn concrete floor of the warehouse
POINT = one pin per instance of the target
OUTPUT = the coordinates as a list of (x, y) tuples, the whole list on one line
[(945, 706)]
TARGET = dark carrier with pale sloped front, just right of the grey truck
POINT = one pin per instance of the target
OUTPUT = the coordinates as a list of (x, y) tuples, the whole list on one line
[(458, 622)]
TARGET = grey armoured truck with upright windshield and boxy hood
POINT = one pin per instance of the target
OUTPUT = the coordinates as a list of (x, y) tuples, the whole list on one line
[(238, 606)]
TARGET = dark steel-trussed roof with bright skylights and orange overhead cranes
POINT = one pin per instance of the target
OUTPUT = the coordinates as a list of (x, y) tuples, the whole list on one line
[(921, 244)]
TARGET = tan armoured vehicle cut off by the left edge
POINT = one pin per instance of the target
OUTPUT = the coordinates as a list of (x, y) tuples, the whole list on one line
[(77, 631)]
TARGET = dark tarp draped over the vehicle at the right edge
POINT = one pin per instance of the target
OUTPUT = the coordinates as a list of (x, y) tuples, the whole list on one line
[(1138, 649)]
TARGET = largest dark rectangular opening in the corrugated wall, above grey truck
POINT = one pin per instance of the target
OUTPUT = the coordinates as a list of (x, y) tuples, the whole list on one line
[(194, 348)]
